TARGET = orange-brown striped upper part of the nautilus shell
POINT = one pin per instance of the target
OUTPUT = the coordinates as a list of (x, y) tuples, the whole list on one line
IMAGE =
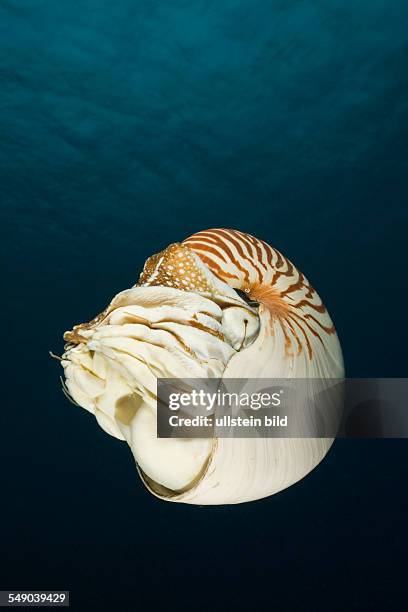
[(267, 277)]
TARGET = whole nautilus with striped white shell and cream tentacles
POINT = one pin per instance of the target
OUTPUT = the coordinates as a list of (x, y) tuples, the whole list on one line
[(220, 304)]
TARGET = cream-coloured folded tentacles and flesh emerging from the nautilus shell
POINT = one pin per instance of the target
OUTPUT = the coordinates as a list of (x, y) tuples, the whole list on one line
[(147, 334)]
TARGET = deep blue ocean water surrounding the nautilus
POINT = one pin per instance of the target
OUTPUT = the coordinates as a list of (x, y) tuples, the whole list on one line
[(128, 125)]
